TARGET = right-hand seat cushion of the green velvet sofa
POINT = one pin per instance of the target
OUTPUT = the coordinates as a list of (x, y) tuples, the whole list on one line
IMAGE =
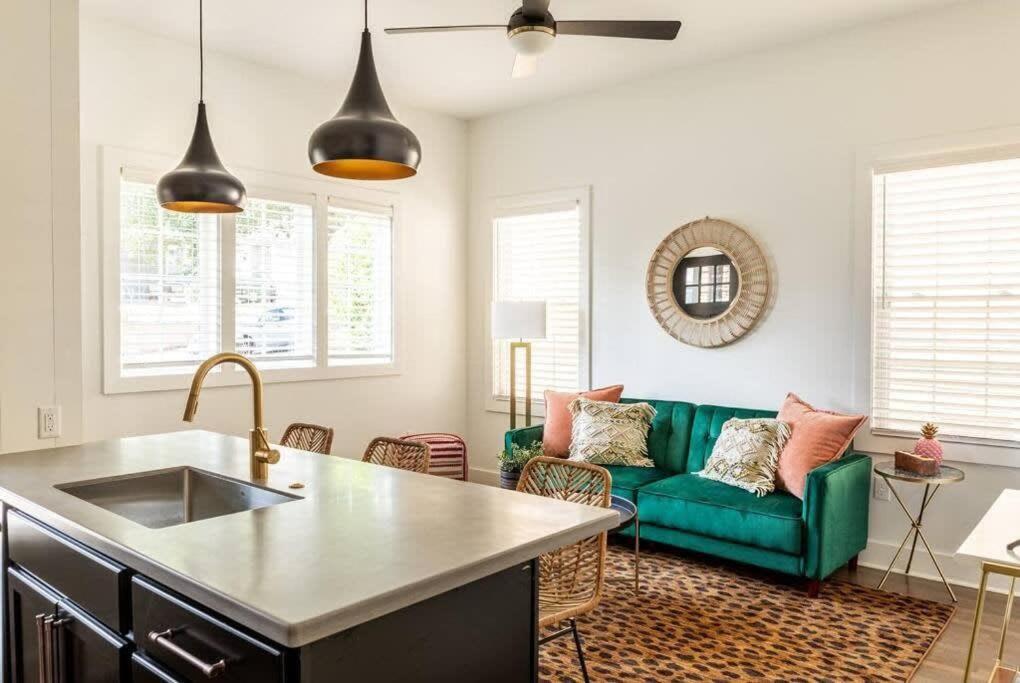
[(690, 503)]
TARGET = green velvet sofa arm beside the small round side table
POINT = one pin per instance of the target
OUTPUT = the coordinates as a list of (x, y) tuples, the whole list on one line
[(836, 514)]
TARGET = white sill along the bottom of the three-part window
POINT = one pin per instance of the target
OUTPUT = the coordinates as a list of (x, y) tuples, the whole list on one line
[(233, 377)]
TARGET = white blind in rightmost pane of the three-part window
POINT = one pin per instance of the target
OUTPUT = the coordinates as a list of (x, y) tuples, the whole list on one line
[(361, 285)]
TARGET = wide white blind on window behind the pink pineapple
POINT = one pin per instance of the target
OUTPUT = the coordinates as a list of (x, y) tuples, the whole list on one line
[(947, 301)]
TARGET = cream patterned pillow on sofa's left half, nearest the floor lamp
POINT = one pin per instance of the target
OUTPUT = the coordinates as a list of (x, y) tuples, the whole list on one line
[(610, 434)]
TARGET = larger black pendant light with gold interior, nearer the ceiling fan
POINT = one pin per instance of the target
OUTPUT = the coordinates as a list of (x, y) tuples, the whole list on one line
[(364, 141)]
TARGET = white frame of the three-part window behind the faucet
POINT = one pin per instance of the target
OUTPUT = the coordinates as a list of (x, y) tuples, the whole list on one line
[(264, 185)]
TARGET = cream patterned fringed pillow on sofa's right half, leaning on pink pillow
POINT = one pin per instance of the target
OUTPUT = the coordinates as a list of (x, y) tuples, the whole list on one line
[(747, 454)]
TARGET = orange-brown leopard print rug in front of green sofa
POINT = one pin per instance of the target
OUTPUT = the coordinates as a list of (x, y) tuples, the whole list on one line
[(703, 620)]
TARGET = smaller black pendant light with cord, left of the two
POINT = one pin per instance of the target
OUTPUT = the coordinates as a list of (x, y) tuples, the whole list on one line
[(200, 184)]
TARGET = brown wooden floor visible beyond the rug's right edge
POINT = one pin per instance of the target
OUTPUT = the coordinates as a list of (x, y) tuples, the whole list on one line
[(947, 660)]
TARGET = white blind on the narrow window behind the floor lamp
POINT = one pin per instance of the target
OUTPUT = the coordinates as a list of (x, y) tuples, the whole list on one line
[(538, 257)]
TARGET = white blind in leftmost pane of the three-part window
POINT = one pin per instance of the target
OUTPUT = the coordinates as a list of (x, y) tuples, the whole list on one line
[(170, 285)]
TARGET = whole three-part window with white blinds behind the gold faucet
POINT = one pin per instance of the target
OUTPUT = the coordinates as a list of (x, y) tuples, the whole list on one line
[(302, 282)]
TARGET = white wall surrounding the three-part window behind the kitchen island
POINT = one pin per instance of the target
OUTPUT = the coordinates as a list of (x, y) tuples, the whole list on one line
[(139, 92)]
